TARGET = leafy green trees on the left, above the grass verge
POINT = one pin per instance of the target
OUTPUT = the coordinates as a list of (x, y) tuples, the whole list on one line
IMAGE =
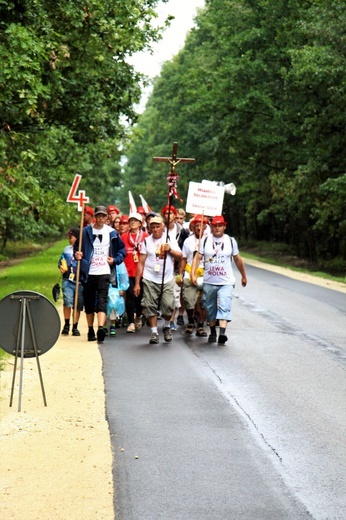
[(66, 89)]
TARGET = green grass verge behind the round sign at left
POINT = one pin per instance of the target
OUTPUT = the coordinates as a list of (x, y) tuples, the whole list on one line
[(37, 273)]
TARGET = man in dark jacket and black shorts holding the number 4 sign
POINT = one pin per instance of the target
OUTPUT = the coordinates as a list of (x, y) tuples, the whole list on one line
[(102, 250)]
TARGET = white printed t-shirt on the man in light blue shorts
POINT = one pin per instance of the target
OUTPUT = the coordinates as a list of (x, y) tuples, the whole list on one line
[(218, 254)]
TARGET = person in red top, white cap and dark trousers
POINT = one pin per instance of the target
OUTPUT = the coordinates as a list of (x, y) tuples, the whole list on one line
[(133, 240)]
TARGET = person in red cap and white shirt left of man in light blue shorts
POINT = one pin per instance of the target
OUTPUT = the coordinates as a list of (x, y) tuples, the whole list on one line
[(191, 292)]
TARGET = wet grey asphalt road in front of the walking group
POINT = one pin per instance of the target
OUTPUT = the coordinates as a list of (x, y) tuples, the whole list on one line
[(251, 430)]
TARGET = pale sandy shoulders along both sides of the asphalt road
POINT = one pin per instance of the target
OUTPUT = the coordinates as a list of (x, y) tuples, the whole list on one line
[(56, 461)]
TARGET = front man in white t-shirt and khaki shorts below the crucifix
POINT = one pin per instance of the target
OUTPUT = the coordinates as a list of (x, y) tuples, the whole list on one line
[(156, 266)]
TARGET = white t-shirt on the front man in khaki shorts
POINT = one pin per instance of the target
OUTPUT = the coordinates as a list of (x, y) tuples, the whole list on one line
[(153, 267)]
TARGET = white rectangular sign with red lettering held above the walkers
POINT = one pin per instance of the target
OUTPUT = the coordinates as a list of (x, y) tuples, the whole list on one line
[(206, 198)]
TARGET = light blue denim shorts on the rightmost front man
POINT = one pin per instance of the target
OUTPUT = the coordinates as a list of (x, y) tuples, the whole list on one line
[(217, 301)]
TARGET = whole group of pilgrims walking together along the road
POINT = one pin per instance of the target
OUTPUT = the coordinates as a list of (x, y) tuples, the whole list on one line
[(145, 267)]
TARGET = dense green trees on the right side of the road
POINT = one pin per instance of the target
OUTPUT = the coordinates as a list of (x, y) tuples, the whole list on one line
[(258, 96)]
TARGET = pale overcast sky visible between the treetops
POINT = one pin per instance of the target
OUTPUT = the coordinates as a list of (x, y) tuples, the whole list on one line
[(173, 38)]
